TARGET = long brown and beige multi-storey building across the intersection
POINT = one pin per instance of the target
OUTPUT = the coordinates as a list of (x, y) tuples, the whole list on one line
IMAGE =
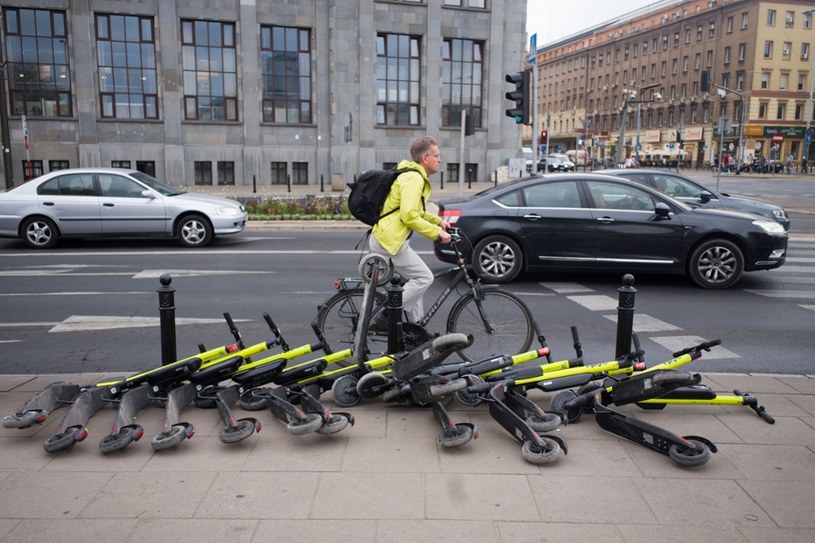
[(640, 76)]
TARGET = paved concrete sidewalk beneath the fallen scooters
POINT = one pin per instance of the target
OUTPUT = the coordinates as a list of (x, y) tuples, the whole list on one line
[(385, 479)]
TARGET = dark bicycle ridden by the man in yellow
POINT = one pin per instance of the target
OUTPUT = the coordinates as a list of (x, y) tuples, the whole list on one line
[(500, 321)]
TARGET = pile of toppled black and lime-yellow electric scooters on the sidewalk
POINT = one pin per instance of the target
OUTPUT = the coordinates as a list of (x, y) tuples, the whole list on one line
[(291, 381)]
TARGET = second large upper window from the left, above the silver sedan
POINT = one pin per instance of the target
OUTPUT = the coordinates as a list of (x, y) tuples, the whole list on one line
[(126, 59)]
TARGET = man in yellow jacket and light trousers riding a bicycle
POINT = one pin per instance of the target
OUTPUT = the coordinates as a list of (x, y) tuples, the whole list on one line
[(390, 236)]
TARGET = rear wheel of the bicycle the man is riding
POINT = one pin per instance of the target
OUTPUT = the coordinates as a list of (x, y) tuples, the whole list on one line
[(339, 316)]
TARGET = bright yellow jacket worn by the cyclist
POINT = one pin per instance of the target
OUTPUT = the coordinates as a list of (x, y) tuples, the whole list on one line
[(409, 194)]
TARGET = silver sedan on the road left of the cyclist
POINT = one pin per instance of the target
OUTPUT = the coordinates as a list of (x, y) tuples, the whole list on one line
[(92, 202)]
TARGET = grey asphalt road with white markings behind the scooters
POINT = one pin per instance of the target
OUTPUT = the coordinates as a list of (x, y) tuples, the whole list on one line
[(92, 306)]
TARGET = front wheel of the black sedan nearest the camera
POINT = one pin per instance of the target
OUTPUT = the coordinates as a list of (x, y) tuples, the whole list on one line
[(716, 264)]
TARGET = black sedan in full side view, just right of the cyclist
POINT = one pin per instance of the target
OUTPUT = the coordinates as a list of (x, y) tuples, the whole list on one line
[(598, 222)]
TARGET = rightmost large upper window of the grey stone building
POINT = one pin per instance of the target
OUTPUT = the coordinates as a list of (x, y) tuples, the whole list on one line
[(462, 75)]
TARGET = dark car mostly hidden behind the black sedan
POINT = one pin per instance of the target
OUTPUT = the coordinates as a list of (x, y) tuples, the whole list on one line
[(693, 192)]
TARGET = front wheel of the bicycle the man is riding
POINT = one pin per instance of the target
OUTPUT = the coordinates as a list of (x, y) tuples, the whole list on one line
[(510, 321)]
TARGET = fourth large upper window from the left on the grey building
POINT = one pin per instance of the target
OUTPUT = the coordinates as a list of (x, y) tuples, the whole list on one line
[(285, 60)]
